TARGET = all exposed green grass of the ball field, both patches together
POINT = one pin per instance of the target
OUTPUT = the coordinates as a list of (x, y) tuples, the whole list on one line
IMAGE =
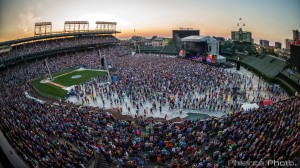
[(51, 91)]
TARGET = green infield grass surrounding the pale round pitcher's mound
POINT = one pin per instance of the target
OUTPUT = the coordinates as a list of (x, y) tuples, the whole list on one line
[(66, 80)]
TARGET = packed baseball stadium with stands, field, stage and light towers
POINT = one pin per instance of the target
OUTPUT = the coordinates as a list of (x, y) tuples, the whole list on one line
[(82, 97)]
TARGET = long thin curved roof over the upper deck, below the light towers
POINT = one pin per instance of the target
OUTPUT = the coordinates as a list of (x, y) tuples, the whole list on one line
[(56, 35)]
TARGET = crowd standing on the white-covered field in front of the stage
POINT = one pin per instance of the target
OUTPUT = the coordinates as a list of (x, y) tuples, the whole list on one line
[(174, 84)]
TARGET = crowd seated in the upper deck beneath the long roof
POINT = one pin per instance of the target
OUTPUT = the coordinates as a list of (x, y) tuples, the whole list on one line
[(44, 45)]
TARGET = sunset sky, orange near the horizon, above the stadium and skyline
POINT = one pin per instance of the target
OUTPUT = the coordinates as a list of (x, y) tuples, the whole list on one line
[(271, 20)]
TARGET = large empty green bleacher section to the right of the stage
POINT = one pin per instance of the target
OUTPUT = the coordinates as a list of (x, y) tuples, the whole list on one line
[(268, 65)]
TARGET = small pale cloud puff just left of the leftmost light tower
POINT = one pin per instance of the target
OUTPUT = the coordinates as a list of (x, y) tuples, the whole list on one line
[(27, 20)]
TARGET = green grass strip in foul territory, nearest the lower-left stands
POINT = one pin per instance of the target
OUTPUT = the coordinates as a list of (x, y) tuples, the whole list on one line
[(48, 90)]
